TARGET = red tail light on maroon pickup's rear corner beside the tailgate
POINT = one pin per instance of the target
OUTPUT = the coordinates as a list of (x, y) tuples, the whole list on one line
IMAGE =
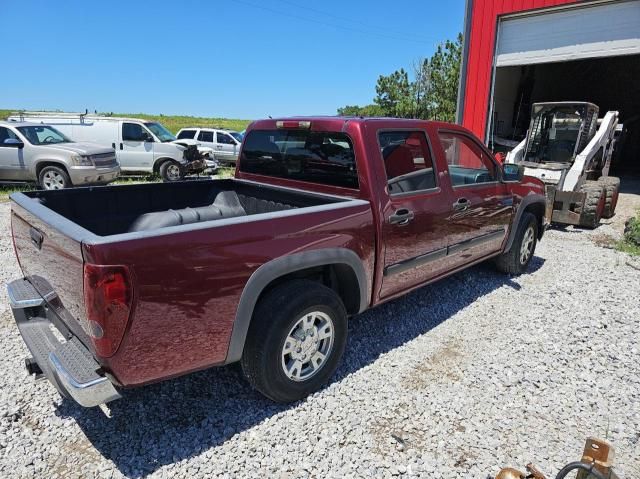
[(107, 299)]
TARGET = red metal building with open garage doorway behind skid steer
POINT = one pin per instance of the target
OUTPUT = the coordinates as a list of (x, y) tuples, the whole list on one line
[(518, 52)]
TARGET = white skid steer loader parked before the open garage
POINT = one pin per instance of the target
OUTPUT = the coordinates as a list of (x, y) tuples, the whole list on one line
[(570, 149)]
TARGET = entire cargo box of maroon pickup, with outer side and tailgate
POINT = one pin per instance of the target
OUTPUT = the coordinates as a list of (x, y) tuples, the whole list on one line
[(187, 278)]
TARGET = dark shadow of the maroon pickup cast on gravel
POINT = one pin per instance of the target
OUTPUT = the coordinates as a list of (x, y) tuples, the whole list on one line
[(175, 420)]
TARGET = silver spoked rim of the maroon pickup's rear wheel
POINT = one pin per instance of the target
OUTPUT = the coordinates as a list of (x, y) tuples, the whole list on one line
[(307, 346)]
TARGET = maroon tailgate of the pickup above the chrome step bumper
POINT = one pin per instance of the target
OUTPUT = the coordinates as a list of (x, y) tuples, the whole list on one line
[(52, 261)]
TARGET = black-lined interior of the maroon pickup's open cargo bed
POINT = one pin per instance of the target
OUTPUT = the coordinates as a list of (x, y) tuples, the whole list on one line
[(125, 209)]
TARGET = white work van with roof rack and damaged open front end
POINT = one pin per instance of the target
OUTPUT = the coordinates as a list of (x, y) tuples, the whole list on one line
[(140, 145)]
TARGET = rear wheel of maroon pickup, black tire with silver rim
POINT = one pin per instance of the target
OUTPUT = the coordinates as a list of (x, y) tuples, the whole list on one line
[(277, 326)]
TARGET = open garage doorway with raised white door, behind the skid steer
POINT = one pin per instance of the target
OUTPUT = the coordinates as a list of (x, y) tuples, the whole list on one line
[(589, 52)]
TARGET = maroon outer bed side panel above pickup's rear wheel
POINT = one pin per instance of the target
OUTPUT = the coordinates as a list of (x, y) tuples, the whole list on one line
[(187, 286)]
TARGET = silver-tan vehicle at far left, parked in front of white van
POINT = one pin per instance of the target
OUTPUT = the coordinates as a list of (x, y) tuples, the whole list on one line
[(40, 153)]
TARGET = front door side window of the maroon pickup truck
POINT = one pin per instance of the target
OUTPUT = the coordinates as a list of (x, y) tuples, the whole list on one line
[(468, 162)]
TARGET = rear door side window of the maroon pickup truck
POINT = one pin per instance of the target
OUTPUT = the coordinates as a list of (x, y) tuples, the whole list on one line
[(407, 161)]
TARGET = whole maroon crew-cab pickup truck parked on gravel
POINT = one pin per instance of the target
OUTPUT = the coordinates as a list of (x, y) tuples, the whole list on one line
[(128, 285)]
